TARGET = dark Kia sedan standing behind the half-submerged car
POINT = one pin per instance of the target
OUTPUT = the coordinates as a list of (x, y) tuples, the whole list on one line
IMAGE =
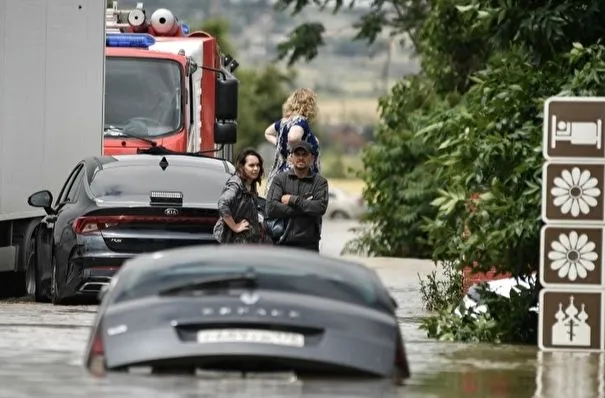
[(112, 208)]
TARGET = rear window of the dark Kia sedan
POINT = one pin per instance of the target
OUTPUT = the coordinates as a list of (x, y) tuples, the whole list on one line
[(197, 185)]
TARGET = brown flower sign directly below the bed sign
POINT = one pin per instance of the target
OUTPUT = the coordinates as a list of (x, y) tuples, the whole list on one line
[(573, 193)]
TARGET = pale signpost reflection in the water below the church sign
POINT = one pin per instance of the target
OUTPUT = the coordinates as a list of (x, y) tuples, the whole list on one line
[(566, 374)]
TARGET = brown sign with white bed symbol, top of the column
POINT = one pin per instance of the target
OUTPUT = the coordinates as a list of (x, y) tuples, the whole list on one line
[(573, 128)]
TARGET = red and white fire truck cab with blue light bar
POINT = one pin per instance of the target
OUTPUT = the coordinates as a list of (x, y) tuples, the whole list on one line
[(166, 87)]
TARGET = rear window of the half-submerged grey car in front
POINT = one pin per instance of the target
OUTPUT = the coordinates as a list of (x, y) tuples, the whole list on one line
[(140, 283)]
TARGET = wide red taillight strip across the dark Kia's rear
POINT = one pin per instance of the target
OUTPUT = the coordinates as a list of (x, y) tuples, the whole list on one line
[(90, 224)]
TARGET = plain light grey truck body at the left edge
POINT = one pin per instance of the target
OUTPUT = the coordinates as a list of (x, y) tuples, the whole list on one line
[(52, 78)]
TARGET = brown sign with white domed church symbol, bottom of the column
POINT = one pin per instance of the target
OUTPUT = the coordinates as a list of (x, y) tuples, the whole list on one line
[(571, 320)]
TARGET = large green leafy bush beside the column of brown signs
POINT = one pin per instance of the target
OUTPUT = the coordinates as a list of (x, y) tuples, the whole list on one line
[(435, 151)]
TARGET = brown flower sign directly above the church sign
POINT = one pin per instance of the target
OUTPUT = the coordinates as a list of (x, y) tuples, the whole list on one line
[(571, 257)]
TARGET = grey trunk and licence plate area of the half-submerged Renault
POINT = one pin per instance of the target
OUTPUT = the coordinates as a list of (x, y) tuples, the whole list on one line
[(186, 330)]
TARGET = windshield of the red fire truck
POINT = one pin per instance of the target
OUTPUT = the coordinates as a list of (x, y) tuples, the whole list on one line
[(142, 96)]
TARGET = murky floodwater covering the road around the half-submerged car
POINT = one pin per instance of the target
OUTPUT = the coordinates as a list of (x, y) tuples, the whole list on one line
[(41, 349)]
